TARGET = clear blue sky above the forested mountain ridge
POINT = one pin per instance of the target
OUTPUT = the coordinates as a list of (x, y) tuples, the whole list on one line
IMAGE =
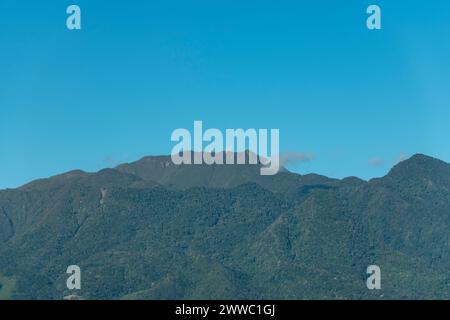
[(114, 91)]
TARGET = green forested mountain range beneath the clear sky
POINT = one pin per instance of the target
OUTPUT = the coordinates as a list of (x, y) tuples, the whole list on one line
[(154, 230)]
